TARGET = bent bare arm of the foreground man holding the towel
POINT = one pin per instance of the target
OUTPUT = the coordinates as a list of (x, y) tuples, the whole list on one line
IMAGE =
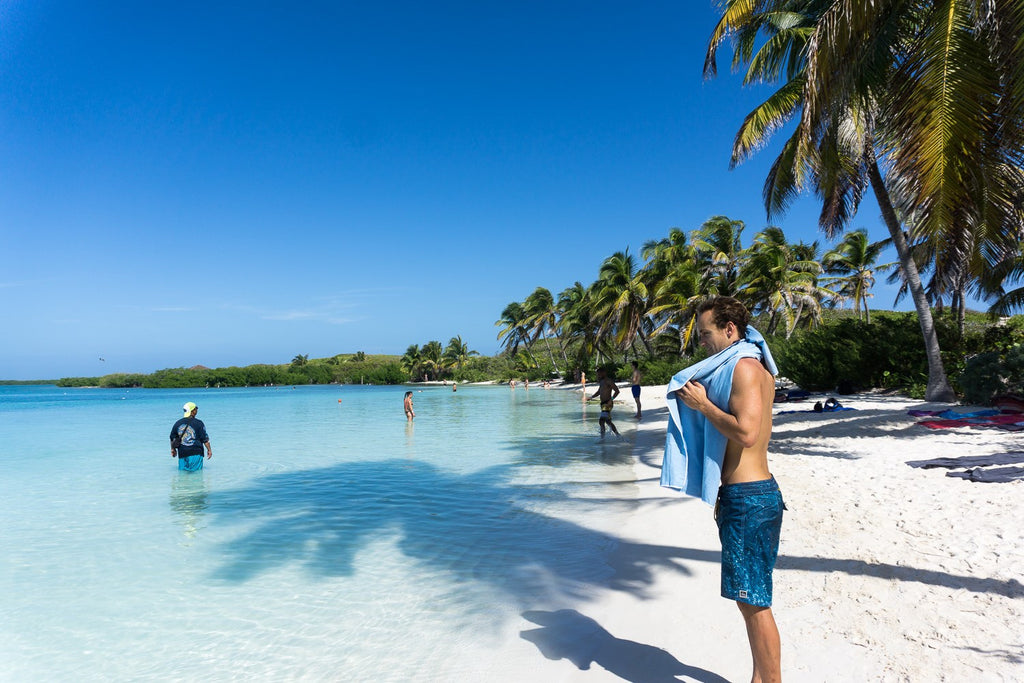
[(743, 423)]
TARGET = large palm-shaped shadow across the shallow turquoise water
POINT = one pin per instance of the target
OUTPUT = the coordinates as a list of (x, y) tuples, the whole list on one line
[(473, 527)]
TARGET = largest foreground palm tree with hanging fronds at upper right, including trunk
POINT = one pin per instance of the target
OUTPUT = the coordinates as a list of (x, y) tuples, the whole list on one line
[(932, 94)]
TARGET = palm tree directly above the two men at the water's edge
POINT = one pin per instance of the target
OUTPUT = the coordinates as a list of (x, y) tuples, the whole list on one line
[(622, 301)]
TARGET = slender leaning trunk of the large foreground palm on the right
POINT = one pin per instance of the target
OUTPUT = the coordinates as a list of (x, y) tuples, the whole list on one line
[(938, 387)]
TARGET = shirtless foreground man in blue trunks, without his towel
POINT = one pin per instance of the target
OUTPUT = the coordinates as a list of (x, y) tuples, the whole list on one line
[(749, 502)]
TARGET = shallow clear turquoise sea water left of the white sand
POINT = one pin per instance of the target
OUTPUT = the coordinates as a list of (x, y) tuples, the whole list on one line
[(325, 541)]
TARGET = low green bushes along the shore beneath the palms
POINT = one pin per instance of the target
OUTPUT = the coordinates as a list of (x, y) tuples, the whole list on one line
[(841, 353)]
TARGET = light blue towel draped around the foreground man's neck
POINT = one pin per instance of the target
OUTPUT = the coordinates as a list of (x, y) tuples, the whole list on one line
[(694, 449)]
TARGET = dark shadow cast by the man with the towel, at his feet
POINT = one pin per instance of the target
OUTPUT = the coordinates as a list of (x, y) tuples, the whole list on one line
[(569, 635)]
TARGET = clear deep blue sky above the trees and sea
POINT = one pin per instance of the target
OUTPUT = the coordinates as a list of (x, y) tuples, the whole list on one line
[(229, 184)]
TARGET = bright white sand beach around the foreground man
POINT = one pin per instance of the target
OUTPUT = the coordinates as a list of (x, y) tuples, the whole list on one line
[(886, 572)]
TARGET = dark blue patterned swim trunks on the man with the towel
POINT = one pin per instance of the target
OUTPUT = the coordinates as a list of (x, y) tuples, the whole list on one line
[(750, 519)]
